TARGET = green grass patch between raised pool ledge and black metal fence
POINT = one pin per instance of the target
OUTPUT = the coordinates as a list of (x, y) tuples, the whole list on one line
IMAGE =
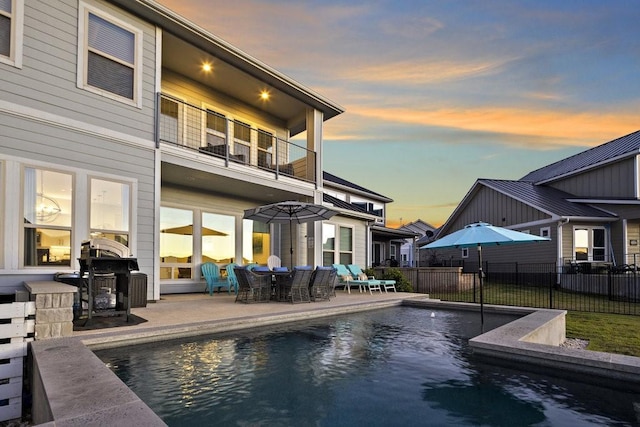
[(612, 333)]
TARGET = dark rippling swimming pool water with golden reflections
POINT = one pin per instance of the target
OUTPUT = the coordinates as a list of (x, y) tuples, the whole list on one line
[(392, 367)]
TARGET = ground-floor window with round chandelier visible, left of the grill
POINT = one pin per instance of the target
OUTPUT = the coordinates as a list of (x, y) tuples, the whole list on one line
[(48, 217)]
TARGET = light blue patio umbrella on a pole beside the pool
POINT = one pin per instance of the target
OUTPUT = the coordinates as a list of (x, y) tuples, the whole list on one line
[(481, 234)]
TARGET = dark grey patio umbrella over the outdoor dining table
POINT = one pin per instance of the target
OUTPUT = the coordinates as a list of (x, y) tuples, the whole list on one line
[(289, 212)]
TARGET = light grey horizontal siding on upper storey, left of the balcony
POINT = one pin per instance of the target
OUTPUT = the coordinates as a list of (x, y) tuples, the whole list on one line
[(47, 79)]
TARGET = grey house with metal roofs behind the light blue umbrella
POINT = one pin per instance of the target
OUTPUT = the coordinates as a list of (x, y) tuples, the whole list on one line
[(587, 204)]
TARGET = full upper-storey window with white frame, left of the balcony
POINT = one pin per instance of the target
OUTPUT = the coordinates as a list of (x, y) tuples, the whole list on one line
[(109, 57)]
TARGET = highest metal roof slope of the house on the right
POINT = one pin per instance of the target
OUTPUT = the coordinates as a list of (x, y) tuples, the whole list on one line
[(617, 149)]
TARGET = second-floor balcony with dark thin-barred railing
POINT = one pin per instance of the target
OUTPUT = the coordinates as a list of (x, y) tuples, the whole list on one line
[(233, 141)]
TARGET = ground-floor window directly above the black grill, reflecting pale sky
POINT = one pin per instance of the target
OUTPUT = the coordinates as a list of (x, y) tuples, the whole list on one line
[(109, 216)]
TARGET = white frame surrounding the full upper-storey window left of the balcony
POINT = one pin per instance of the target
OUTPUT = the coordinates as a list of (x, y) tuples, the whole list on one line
[(83, 57)]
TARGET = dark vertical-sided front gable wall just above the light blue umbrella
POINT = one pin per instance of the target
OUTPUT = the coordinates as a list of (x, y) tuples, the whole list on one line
[(496, 208)]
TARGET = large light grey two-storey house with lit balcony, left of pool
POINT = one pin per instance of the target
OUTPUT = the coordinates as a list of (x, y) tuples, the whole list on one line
[(121, 119)]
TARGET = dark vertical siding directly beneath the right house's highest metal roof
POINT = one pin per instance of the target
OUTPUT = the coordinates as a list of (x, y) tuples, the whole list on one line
[(616, 180)]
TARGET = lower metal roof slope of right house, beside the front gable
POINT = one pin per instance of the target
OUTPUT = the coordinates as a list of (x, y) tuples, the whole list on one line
[(547, 199)]
